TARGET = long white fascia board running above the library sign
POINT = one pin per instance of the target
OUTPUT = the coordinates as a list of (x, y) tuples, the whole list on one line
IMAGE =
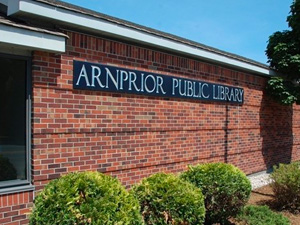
[(102, 26)]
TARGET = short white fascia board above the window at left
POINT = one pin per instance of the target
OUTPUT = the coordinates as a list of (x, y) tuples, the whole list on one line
[(31, 39)]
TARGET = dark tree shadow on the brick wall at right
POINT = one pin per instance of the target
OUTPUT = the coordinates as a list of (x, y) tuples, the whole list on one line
[(276, 129)]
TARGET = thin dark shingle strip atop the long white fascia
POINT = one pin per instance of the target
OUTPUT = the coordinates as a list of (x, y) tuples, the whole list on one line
[(74, 8)]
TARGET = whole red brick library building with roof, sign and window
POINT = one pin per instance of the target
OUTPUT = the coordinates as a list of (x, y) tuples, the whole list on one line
[(84, 91)]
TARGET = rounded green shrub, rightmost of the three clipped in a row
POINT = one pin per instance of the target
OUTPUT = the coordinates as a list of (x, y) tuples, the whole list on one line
[(225, 187)]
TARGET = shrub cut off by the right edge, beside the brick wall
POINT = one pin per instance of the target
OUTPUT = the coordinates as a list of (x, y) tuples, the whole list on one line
[(286, 185)]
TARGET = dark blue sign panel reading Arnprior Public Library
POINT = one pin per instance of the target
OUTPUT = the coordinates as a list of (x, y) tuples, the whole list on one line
[(98, 77)]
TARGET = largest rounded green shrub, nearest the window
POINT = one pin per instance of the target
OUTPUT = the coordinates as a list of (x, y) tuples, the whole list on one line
[(85, 198)]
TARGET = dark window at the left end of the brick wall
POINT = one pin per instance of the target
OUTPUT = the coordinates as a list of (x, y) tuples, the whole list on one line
[(14, 121)]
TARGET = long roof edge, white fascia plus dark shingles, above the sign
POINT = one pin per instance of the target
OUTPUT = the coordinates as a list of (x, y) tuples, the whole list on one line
[(73, 15)]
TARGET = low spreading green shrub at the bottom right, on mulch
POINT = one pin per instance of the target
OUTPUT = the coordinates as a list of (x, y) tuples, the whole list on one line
[(262, 215)]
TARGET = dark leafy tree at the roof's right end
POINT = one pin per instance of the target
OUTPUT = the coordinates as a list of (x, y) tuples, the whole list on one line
[(283, 52)]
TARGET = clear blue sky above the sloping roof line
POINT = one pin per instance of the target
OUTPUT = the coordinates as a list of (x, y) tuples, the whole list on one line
[(241, 27)]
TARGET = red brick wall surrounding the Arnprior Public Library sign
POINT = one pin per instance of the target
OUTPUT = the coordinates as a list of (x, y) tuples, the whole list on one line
[(132, 136)]
